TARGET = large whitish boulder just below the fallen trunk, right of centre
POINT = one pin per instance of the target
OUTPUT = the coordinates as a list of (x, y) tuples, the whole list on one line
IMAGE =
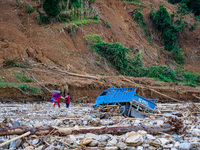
[(134, 139)]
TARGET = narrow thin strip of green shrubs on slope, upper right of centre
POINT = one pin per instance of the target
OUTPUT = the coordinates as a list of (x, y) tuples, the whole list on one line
[(139, 18)]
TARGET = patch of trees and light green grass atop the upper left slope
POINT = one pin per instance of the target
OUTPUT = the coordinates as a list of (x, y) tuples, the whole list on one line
[(77, 11)]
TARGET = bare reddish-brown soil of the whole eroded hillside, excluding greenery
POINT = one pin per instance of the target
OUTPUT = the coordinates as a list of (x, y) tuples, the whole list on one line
[(52, 45)]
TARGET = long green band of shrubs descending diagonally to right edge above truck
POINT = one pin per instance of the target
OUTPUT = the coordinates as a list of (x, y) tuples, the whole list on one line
[(119, 57)]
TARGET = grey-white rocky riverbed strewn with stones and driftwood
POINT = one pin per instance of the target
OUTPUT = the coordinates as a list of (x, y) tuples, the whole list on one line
[(172, 126)]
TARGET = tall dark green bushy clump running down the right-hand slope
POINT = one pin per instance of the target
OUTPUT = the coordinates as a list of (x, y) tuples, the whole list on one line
[(169, 32)]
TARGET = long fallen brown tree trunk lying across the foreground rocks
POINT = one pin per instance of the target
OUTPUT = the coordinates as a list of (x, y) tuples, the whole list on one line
[(115, 130)]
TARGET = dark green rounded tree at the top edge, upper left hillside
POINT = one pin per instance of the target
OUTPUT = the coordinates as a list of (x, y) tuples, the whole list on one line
[(51, 8)]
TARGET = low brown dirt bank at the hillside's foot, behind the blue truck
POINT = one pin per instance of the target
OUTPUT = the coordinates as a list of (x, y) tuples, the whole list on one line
[(87, 89)]
